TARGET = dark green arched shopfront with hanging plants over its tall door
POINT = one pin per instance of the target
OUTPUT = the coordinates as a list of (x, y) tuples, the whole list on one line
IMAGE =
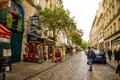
[(15, 23)]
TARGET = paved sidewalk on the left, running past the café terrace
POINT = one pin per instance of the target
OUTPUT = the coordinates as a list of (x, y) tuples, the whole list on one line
[(23, 70)]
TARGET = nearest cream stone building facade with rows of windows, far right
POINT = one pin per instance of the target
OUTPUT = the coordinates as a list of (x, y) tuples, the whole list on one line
[(111, 23)]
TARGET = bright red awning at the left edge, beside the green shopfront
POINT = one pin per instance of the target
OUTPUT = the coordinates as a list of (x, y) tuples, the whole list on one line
[(4, 32)]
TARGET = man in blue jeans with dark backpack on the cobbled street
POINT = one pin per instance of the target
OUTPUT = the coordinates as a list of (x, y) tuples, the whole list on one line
[(90, 55)]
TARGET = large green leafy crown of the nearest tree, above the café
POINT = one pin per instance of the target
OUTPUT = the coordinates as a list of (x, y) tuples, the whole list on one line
[(56, 19)]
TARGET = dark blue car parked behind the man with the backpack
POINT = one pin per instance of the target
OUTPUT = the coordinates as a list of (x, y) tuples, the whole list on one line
[(100, 56)]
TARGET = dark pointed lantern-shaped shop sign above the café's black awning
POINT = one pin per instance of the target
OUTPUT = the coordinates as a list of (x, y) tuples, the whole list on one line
[(35, 32)]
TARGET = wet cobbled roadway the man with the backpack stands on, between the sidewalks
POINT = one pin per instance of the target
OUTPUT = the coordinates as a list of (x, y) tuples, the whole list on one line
[(76, 68)]
